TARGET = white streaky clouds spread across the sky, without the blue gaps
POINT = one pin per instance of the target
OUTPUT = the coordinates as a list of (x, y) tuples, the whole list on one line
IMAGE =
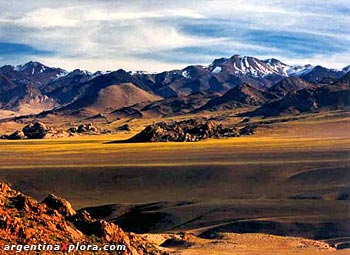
[(109, 34)]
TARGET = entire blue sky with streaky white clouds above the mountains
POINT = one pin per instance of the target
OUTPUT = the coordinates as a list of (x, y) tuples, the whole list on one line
[(158, 35)]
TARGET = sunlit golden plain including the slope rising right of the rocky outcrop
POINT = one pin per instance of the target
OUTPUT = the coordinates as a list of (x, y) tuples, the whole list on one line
[(310, 132)]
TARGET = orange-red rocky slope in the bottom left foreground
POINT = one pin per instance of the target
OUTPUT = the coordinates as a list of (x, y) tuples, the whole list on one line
[(25, 221)]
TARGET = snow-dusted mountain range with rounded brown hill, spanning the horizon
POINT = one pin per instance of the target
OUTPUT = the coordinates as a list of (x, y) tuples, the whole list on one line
[(270, 86)]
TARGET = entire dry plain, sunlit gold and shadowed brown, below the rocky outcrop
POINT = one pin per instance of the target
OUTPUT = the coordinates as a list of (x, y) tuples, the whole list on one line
[(290, 172)]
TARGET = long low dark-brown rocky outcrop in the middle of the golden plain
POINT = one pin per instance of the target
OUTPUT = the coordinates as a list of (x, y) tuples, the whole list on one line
[(184, 131)]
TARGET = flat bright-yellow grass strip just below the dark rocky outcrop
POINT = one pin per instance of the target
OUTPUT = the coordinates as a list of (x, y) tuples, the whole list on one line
[(96, 151)]
